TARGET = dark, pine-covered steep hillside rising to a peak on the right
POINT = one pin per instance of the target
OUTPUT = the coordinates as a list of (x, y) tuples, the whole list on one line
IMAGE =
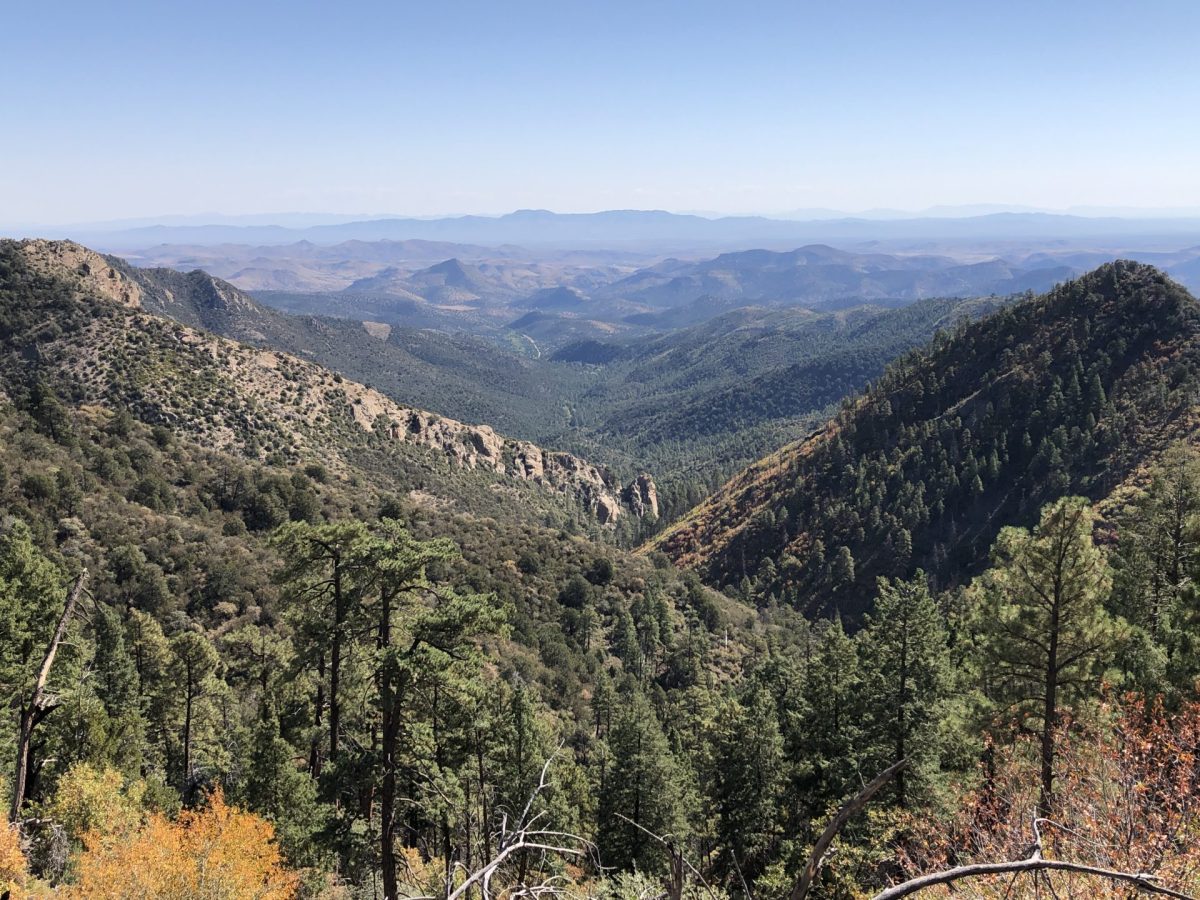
[(1072, 392)]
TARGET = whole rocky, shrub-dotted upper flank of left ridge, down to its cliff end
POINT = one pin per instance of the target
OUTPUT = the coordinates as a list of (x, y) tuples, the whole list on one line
[(83, 323)]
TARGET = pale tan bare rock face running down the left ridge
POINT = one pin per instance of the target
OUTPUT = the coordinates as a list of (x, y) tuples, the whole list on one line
[(268, 391)]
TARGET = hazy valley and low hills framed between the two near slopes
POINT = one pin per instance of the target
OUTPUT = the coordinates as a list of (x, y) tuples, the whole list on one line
[(685, 368)]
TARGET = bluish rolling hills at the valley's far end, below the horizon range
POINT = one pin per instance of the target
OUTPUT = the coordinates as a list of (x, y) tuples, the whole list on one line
[(556, 305)]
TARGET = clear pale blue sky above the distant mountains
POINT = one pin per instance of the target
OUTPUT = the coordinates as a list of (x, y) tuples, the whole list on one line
[(122, 110)]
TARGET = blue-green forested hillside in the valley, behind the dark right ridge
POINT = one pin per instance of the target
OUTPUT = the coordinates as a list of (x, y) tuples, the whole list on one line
[(697, 406)]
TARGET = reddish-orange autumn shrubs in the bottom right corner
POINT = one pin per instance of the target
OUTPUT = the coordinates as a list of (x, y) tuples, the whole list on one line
[(1127, 799)]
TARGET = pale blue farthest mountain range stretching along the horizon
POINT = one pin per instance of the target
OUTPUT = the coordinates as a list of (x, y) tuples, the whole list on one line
[(616, 229)]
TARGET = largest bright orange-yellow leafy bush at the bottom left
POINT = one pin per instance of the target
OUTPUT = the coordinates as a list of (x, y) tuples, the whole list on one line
[(218, 854)]
